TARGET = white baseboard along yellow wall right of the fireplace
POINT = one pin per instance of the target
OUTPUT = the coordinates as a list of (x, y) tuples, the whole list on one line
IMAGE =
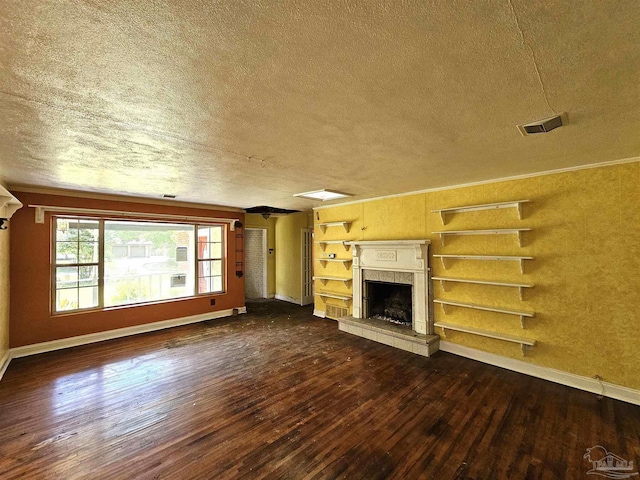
[(564, 378)]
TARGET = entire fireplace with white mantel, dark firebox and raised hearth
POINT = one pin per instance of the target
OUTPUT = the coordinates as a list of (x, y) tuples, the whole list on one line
[(391, 295)]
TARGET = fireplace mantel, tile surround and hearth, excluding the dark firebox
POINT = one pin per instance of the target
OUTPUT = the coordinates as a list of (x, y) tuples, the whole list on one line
[(392, 261)]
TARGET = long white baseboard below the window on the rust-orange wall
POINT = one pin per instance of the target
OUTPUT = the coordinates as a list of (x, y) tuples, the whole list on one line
[(118, 333)]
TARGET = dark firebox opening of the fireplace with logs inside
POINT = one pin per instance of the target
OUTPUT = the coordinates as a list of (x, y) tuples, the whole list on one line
[(390, 302)]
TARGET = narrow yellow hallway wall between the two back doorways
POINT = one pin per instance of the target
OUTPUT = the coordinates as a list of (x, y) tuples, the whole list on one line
[(289, 255)]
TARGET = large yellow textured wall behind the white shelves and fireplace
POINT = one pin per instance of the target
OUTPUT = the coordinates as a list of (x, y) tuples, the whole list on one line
[(585, 241)]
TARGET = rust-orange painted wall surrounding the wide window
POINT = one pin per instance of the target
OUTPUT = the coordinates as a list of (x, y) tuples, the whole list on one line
[(30, 317)]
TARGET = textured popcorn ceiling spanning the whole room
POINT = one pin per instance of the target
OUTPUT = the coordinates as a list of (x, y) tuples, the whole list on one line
[(245, 103)]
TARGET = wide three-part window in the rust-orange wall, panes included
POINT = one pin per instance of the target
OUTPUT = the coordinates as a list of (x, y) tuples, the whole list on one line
[(106, 263)]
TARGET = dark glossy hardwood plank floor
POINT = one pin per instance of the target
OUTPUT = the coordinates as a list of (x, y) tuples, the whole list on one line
[(278, 393)]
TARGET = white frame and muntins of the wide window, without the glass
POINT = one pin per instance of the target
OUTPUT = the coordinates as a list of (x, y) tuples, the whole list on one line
[(54, 265)]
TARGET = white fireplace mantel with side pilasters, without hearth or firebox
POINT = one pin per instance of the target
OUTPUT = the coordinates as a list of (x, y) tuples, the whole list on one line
[(394, 256)]
